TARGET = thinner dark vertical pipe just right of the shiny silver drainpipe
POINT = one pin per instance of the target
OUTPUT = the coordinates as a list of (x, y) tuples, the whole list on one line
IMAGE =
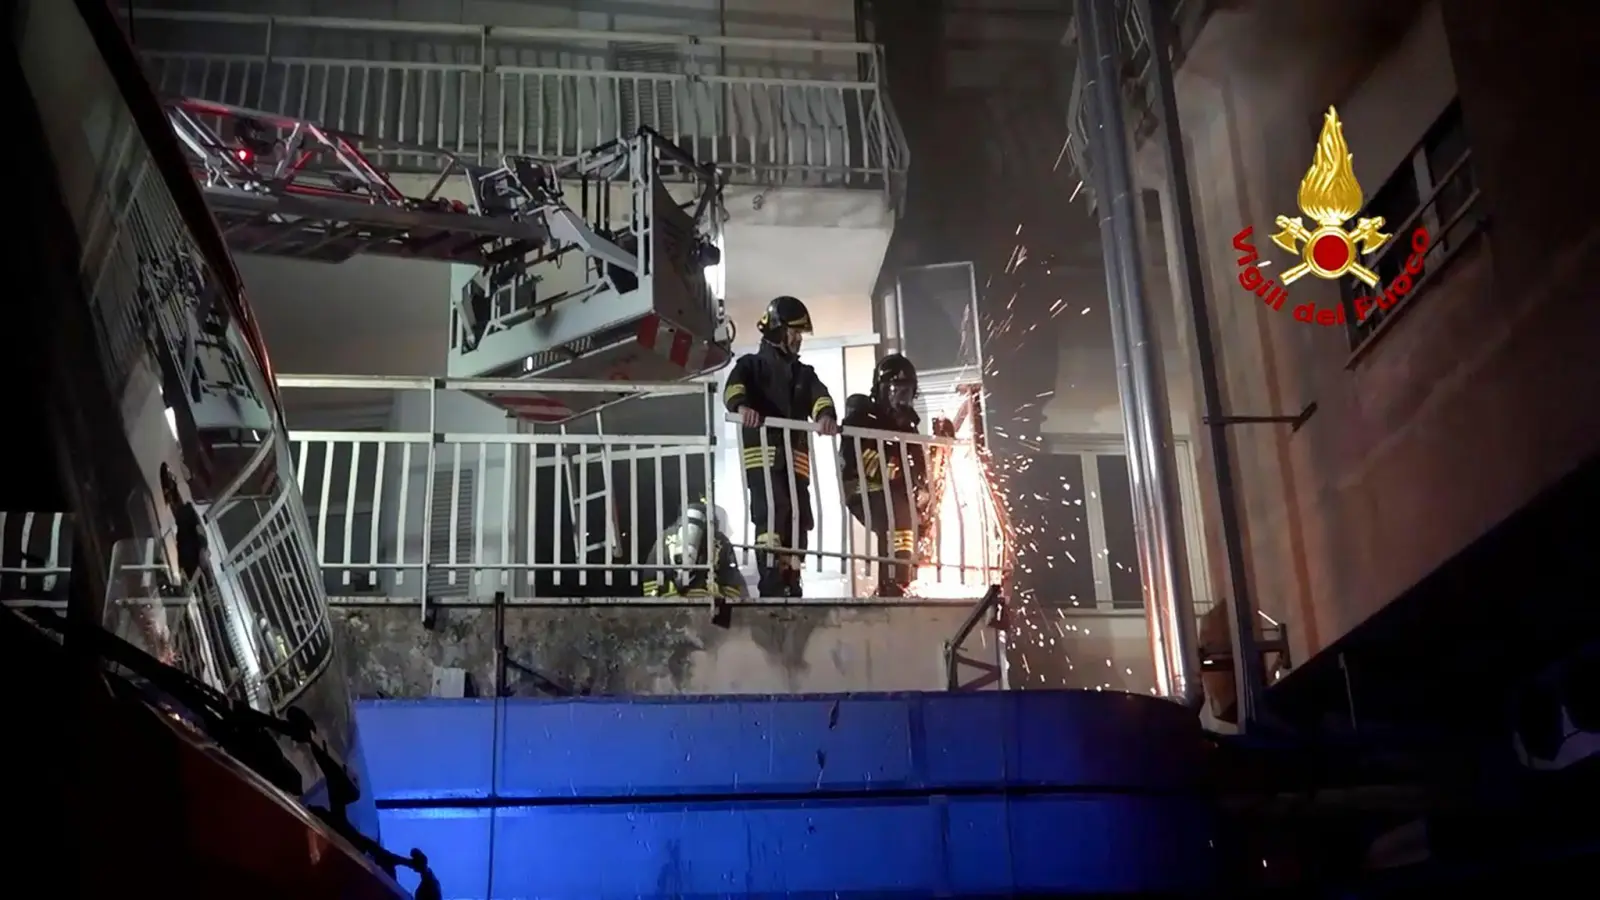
[(1249, 677)]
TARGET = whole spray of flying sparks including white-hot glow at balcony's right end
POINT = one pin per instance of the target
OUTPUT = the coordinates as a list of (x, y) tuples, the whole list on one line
[(1034, 531)]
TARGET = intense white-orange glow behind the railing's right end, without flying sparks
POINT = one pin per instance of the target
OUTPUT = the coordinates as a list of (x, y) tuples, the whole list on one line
[(969, 544)]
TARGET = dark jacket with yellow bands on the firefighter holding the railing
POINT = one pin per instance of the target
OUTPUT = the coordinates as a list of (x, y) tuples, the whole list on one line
[(777, 385)]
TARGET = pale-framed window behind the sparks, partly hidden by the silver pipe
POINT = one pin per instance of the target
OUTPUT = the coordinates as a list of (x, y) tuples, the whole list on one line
[(1076, 528)]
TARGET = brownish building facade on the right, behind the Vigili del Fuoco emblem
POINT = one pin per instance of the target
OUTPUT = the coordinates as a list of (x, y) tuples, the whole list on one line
[(1446, 411)]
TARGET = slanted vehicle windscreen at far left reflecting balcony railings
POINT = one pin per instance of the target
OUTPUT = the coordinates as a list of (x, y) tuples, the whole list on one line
[(159, 323)]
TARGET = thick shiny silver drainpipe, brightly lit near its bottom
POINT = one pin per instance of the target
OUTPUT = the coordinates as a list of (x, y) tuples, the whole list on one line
[(1142, 384)]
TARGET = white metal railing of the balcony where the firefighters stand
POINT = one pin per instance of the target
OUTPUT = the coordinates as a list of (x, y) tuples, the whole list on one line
[(572, 513)]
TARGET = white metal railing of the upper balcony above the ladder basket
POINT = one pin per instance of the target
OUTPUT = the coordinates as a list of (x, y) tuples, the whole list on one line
[(767, 111)]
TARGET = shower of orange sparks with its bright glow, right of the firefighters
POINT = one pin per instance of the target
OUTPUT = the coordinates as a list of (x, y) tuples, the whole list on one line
[(996, 523)]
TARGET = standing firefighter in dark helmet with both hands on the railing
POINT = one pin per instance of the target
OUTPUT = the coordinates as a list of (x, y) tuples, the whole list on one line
[(774, 384)]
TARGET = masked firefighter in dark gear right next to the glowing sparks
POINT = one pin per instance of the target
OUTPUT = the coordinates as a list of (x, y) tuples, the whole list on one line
[(887, 481)]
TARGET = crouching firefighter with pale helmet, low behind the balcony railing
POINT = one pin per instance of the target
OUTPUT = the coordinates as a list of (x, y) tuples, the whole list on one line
[(694, 558)]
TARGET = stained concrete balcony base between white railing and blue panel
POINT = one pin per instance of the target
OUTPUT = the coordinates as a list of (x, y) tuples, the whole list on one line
[(642, 651)]
